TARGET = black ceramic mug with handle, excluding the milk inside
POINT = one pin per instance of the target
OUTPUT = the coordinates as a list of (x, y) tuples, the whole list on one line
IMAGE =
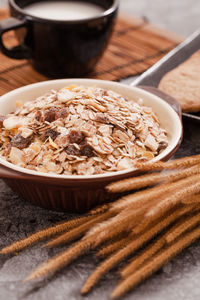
[(59, 48)]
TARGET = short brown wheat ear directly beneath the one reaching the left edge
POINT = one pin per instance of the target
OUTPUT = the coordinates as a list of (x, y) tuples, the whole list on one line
[(78, 231)]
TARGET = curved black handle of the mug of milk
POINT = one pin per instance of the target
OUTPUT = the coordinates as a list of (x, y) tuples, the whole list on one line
[(18, 52)]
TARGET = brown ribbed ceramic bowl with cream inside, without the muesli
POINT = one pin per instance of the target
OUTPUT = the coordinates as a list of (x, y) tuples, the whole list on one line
[(79, 193)]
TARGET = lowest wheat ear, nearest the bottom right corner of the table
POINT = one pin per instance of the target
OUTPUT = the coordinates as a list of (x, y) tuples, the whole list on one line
[(158, 261)]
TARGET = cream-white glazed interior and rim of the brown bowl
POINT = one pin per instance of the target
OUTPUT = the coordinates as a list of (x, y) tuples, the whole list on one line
[(168, 118)]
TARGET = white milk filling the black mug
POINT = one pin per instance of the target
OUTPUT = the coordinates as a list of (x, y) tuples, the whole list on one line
[(63, 10)]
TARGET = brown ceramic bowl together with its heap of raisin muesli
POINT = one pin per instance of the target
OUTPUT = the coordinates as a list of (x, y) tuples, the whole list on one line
[(62, 141)]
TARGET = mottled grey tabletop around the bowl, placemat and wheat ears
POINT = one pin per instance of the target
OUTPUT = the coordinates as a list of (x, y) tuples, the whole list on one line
[(179, 279)]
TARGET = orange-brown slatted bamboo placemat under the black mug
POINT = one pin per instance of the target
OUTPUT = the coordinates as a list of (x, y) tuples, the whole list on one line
[(135, 46)]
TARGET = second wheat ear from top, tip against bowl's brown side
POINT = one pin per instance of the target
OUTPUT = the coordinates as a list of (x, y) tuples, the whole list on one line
[(150, 179)]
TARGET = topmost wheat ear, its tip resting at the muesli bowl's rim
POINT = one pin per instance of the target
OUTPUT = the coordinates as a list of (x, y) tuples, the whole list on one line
[(174, 164)]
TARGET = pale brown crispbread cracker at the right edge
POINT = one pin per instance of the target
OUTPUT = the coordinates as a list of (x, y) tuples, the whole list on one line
[(183, 83)]
